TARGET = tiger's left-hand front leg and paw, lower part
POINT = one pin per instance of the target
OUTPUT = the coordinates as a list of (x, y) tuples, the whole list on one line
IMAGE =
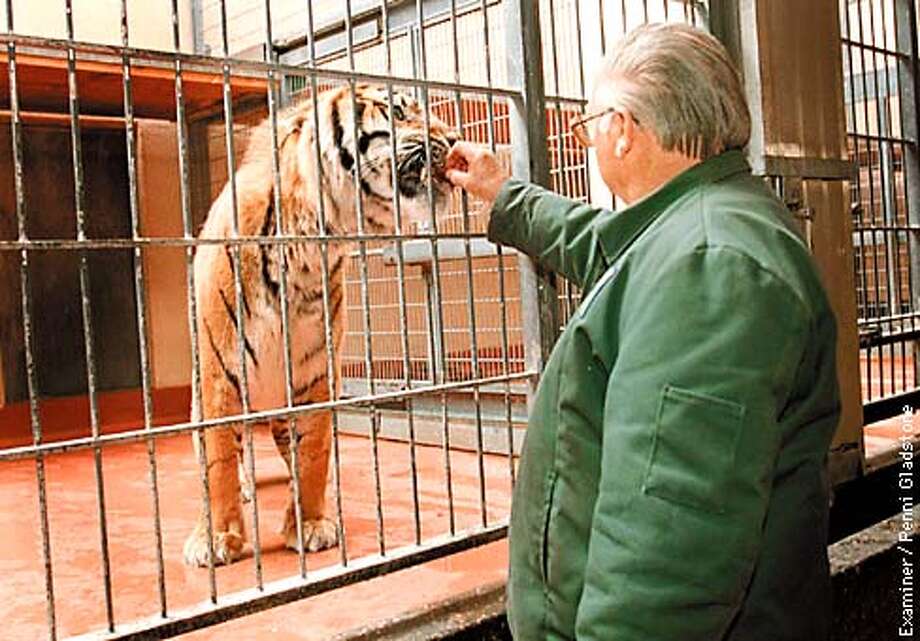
[(222, 456)]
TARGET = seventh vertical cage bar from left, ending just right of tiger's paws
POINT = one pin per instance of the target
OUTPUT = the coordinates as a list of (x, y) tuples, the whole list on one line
[(327, 322)]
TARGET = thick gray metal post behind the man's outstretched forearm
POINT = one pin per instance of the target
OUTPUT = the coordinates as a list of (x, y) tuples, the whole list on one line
[(527, 114)]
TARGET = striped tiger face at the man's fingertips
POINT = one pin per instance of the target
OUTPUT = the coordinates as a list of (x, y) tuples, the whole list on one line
[(362, 154)]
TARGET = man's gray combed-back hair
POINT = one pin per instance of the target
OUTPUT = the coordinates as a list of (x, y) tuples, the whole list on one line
[(678, 82)]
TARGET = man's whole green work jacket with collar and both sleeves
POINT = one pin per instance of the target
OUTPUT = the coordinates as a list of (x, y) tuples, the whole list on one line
[(673, 484)]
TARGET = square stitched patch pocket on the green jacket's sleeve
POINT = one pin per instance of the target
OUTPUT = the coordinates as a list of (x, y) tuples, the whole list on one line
[(693, 453)]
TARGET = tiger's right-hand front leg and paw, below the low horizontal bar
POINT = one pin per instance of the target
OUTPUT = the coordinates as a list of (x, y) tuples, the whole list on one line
[(314, 434)]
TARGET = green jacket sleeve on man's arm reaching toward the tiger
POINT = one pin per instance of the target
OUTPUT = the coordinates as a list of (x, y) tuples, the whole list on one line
[(553, 230)]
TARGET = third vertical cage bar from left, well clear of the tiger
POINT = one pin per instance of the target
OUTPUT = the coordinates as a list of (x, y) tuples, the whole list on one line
[(141, 302)]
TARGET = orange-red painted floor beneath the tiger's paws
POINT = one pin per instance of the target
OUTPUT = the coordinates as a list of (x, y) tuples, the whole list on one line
[(74, 526)]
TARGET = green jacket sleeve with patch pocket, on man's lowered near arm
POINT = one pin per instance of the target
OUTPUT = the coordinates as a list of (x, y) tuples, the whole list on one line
[(709, 352)]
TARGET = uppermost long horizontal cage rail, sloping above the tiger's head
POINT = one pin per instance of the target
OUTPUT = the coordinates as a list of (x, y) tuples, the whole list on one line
[(256, 69)]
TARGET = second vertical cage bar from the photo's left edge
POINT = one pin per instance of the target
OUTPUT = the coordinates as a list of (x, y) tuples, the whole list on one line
[(88, 340)]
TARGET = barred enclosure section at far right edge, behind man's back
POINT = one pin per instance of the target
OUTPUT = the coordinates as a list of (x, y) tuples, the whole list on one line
[(881, 126)]
